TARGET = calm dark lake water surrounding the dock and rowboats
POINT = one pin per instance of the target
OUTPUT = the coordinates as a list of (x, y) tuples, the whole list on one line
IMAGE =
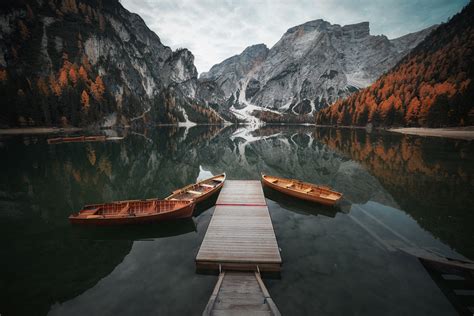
[(400, 191)]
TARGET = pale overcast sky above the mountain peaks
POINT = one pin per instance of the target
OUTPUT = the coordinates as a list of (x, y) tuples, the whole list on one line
[(214, 30)]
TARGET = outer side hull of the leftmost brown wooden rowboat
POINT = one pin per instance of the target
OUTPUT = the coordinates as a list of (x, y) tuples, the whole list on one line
[(103, 220)]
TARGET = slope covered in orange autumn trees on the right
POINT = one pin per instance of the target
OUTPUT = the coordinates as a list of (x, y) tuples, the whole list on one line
[(432, 86)]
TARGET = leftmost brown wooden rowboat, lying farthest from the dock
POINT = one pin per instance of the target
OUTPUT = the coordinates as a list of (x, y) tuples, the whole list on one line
[(132, 212)]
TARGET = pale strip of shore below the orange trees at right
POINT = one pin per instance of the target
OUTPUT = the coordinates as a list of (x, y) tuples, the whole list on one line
[(465, 133)]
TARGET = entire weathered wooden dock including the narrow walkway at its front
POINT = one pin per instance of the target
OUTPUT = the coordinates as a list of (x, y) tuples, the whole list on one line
[(240, 242)]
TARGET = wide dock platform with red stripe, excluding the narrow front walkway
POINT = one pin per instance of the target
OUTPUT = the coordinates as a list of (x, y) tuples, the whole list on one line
[(240, 235)]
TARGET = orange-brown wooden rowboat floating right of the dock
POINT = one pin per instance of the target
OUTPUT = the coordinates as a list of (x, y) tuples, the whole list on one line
[(302, 190)]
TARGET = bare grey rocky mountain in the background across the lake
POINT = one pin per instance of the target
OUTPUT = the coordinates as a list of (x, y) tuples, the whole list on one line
[(311, 66)]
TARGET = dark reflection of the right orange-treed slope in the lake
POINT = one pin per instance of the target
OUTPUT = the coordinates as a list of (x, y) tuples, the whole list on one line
[(431, 179)]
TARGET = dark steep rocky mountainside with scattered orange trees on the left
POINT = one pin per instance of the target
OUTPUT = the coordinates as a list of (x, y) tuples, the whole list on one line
[(83, 62)]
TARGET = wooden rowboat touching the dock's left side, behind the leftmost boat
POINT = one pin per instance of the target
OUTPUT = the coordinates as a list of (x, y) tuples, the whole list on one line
[(200, 191)]
